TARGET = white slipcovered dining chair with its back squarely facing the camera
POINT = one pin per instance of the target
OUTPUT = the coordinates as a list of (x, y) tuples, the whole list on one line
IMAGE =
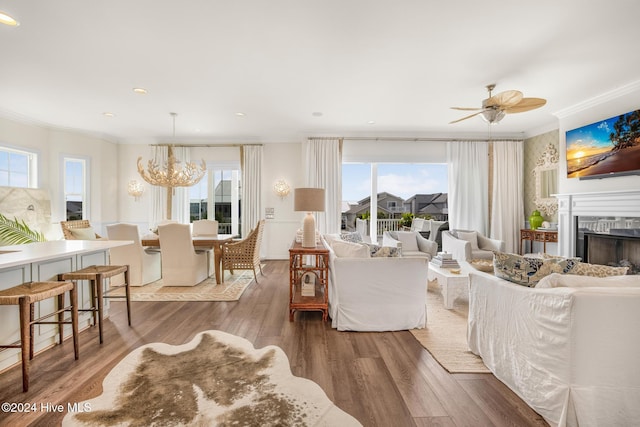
[(181, 264)]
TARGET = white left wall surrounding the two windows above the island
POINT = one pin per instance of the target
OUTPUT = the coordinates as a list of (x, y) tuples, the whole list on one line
[(51, 145)]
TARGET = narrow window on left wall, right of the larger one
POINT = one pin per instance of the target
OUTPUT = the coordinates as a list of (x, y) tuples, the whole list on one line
[(75, 188)]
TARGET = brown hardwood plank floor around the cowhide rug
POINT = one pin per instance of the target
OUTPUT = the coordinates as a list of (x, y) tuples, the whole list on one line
[(382, 379)]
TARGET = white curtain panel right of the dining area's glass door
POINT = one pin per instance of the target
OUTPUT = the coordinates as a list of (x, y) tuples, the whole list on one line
[(251, 164)]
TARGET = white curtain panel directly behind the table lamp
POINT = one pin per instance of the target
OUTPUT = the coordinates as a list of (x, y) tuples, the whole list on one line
[(324, 170)]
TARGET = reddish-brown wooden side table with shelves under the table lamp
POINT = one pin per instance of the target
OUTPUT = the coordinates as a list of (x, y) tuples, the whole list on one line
[(308, 261)]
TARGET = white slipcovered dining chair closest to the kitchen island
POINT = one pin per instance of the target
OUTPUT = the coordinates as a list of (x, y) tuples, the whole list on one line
[(144, 265)]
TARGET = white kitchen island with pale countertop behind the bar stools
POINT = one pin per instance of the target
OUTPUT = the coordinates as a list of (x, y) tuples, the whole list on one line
[(43, 261)]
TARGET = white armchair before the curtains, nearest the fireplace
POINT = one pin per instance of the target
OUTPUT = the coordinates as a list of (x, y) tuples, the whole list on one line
[(466, 245)]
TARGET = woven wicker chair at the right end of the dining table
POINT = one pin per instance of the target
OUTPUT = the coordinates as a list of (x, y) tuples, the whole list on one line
[(244, 254)]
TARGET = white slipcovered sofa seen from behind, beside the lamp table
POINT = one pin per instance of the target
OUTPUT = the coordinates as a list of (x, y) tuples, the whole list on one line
[(375, 294)]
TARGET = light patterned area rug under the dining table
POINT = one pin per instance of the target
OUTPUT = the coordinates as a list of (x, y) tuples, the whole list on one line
[(231, 290)]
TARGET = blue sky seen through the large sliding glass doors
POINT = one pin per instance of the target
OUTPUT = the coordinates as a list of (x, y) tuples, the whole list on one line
[(402, 180)]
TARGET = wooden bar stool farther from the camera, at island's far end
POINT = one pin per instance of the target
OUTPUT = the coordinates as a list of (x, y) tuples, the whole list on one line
[(96, 274)]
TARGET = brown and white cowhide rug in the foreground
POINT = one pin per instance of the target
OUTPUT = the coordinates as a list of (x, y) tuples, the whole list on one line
[(217, 379)]
